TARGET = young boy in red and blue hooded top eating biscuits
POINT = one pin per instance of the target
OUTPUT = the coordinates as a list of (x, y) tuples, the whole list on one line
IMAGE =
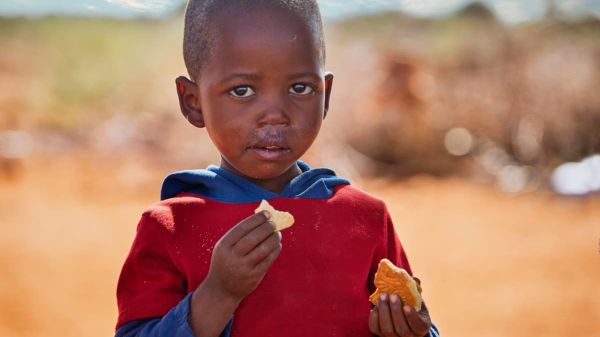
[(202, 263)]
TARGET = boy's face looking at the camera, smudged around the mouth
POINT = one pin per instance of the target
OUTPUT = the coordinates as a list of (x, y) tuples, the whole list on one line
[(262, 94)]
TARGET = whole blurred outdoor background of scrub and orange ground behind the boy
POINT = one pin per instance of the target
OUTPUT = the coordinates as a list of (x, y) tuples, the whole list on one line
[(477, 122)]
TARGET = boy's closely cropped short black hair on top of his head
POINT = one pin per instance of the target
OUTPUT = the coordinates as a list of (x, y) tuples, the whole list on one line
[(198, 37)]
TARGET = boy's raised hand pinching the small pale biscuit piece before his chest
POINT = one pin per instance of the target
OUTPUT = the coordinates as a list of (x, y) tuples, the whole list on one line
[(243, 255)]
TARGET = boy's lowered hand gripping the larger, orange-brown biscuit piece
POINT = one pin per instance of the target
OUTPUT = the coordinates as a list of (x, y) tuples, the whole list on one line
[(391, 318)]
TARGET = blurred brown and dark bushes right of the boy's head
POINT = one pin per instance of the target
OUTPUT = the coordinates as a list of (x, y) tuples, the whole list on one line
[(467, 95)]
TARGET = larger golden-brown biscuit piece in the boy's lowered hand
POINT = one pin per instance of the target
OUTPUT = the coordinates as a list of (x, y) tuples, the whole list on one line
[(390, 279)]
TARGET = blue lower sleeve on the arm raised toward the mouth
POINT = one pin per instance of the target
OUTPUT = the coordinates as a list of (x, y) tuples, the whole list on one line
[(174, 324)]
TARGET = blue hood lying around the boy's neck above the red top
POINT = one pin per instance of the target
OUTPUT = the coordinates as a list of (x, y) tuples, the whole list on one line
[(219, 184)]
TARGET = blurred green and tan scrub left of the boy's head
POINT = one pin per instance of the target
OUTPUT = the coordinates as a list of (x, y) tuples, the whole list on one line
[(90, 85)]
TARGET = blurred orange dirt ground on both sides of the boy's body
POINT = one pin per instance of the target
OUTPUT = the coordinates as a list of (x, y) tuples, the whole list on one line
[(491, 264)]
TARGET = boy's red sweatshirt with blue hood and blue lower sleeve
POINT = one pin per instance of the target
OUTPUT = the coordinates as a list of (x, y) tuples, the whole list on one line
[(318, 286)]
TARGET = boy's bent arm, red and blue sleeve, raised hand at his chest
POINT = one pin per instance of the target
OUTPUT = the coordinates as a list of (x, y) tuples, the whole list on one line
[(150, 284)]
